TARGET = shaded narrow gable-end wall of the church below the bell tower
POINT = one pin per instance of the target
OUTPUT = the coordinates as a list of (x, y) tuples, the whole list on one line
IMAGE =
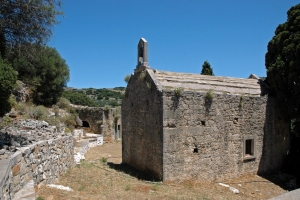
[(142, 137)]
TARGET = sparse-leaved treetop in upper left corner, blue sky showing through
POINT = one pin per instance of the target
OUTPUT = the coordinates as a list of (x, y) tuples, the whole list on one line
[(26, 21)]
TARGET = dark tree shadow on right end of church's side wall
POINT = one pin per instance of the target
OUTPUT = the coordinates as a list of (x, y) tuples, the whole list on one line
[(276, 144)]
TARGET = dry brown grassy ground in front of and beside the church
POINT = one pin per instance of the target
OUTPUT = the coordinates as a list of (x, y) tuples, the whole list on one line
[(102, 176)]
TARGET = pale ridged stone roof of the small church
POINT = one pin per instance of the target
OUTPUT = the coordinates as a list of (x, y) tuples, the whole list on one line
[(196, 82)]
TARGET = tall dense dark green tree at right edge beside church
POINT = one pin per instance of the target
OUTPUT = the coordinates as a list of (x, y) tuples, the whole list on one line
[(282, 62)]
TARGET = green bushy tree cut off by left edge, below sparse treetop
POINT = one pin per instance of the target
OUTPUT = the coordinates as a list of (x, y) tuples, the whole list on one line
[(8, 78)]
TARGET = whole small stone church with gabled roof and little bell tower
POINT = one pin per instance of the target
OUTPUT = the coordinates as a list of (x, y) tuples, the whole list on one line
[(180, 126)]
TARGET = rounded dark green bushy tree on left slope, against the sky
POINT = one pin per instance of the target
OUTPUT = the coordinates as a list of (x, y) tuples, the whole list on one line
[(47, 74)]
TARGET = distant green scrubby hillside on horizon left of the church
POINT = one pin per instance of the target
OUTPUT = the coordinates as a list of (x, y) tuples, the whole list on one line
[(95, 97)]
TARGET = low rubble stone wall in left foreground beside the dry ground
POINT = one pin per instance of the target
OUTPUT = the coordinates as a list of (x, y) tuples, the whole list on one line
[(43, 161)]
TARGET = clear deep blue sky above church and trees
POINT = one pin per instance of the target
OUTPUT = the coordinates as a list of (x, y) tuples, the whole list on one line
[(98, 38)]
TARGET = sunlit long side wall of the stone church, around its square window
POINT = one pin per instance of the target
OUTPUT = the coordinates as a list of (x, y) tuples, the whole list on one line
[(204, 139)]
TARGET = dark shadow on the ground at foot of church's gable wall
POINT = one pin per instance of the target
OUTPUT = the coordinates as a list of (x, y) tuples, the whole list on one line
[(132, 172)]
